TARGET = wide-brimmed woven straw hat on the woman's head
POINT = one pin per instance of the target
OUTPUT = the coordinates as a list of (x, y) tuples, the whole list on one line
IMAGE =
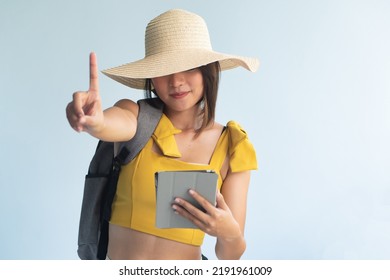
[(175, 41)]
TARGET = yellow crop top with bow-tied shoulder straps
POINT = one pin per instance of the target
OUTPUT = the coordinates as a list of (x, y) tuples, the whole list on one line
[(134, 204)]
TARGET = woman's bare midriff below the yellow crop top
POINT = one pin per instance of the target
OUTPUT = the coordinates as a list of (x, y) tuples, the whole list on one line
[(128, 244)]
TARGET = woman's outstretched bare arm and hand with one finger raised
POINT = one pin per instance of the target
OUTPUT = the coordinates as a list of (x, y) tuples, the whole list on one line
[(85, 113)]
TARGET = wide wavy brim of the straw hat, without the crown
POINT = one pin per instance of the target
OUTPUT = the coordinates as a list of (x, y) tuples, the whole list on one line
[(135, 73)]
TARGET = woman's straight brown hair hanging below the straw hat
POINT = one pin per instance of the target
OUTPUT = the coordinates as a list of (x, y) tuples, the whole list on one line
[(211, 75)]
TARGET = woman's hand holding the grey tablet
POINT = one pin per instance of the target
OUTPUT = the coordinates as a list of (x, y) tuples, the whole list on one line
[(217, 221)]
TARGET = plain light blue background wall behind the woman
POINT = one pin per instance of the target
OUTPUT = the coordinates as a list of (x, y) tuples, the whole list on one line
[(317, 111)]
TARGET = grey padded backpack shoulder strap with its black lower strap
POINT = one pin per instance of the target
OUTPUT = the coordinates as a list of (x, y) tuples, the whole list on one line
[(150, 112)]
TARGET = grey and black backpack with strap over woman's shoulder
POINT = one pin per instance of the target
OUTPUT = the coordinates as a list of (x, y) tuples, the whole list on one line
[(101, 180)]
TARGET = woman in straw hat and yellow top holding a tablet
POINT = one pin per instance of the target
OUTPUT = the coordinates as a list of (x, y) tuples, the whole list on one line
[(181, 69)]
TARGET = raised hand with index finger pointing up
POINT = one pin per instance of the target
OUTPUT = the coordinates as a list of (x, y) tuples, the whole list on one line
[(85, 112)]
